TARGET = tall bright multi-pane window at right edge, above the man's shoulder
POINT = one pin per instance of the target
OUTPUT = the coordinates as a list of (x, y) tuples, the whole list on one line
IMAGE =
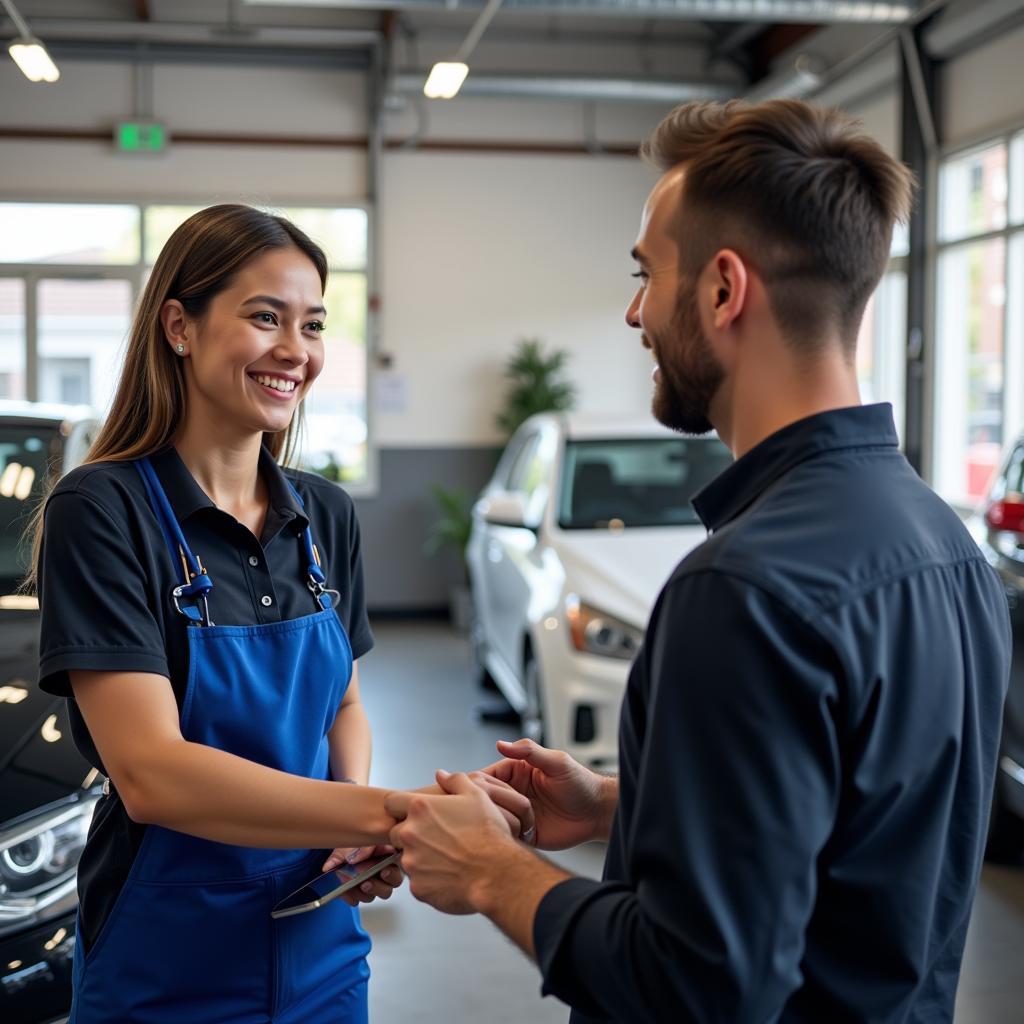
[(979, 387)]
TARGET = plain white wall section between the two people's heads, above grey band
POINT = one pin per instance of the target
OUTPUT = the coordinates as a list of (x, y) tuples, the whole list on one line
[(482, 250)]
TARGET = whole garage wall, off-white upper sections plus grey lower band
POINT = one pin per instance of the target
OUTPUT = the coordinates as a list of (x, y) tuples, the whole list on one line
[(478, 249)]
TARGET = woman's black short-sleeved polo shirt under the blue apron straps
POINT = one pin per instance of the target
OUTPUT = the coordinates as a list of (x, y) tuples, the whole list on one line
[(105, 589)]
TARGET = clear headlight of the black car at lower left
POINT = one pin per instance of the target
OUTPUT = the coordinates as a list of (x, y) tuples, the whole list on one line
[(38, 860)]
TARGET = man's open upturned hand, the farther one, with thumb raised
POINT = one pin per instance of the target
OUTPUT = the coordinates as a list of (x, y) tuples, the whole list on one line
[(572, 804)]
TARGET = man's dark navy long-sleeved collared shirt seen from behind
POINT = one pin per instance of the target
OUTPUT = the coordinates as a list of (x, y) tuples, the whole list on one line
[(808, 746)]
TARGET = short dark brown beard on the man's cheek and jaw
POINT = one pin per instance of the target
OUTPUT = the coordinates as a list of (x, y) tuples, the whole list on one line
[(690, 375)]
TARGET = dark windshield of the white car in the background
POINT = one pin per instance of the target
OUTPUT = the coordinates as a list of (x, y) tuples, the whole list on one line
[(645, 482)]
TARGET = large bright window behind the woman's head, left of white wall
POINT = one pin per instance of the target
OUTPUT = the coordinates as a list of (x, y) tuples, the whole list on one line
[(71, 273)]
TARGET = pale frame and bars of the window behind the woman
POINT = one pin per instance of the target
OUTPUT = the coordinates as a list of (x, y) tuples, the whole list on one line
[(136, 275)]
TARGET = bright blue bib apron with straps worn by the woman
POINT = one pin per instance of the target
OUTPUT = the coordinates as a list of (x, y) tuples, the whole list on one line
[(190, 940)]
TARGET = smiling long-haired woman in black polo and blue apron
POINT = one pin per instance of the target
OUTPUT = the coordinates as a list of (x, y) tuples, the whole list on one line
[(203, 610)]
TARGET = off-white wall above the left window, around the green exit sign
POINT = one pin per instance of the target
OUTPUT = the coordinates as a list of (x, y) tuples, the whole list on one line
[(235, 101)]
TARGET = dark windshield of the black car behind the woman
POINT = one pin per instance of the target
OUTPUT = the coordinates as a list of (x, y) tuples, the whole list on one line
[(25, 454)]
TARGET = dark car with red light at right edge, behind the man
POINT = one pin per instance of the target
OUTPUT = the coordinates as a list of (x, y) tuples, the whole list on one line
[(1001, 533)]
